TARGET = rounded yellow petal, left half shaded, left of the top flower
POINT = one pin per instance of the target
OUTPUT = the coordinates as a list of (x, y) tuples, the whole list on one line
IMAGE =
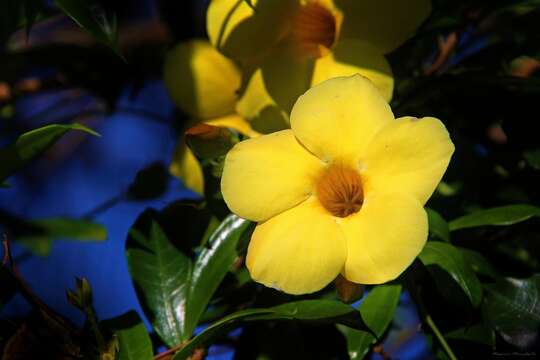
[(200, 80)]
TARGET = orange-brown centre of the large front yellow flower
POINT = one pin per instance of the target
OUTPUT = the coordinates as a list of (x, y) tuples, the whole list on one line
[(340, 190)]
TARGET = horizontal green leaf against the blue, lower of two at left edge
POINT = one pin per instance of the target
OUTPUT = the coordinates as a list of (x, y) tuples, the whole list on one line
[(40, 242)]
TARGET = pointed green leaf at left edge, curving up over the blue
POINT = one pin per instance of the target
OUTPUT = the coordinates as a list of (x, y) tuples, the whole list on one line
[(29, 145)]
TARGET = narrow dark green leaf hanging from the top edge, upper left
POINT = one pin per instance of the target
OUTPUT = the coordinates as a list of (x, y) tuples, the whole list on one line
[(96, 24)]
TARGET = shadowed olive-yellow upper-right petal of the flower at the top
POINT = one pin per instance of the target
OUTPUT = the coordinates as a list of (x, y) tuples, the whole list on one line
[(384, 23)]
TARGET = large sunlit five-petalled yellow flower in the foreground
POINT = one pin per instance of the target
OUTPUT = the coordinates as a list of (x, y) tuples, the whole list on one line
[(341, 192)]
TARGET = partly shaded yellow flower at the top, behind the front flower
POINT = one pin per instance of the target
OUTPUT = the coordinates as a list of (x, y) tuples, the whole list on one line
[(287, 46)]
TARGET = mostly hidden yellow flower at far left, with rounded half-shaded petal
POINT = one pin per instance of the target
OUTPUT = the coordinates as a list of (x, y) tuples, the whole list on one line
[(203, 83)]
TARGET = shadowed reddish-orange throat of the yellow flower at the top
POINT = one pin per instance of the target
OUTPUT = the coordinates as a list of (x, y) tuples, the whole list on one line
[(314, 29)]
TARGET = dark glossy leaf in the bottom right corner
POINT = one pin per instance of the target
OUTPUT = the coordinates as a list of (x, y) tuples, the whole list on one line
[(512, 308)]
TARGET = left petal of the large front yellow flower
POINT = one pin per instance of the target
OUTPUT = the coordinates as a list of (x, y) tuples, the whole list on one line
[(265, 176)]
